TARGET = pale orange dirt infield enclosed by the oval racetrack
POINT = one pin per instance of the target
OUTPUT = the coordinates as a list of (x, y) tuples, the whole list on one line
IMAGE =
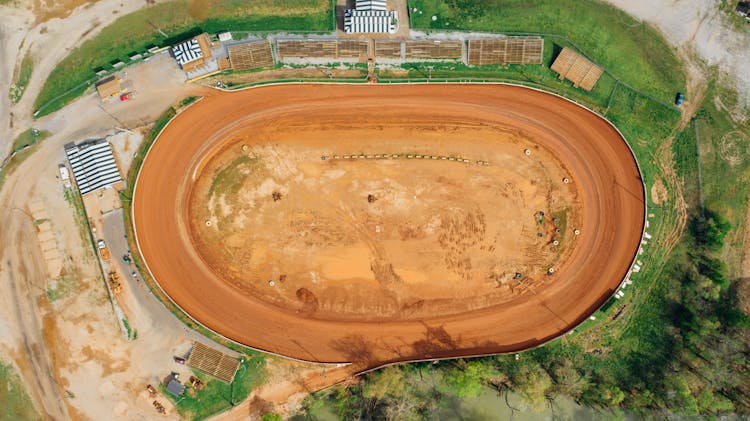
[(373, 237)]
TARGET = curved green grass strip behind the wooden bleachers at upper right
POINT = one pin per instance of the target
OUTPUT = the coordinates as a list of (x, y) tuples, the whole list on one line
[(632, 51)]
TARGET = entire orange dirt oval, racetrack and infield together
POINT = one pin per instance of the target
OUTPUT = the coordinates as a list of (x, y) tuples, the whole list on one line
[(254, 218)]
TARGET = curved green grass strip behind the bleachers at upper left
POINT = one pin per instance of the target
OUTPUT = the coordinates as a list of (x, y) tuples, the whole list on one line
[(165, 24)]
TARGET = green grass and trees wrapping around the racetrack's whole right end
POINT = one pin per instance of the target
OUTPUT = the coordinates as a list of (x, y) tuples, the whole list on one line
[(677, 345)]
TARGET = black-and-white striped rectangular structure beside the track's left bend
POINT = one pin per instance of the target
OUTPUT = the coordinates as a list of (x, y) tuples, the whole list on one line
[(93, 164)]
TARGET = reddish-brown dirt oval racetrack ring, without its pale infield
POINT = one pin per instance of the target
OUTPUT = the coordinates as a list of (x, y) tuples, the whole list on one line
[(598, 158)]
